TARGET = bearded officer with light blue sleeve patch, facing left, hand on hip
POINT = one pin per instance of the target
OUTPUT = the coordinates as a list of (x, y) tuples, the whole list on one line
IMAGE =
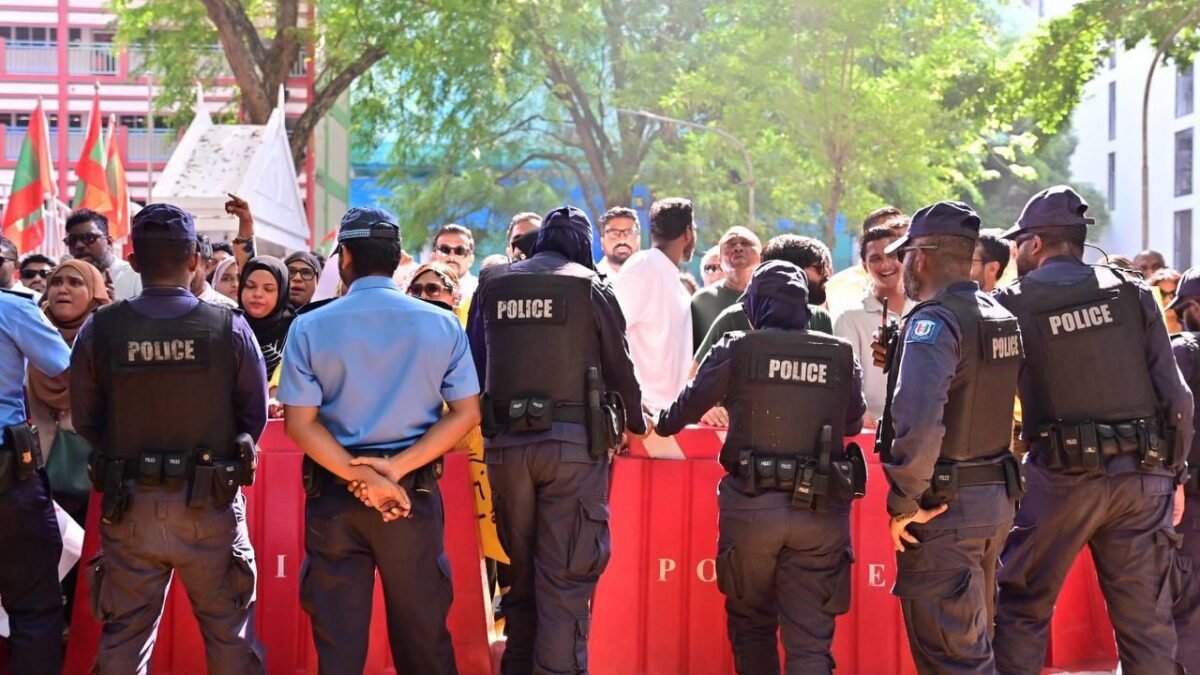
[(953, 479)]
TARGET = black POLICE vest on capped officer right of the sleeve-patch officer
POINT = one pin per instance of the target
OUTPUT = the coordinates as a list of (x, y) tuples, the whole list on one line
[(1085, 348)]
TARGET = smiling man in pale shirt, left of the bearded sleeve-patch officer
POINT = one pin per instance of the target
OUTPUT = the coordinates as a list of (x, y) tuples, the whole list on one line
[(859, 325)]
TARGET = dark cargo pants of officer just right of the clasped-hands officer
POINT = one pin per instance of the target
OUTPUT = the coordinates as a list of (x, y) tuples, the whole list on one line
[(551, 503)]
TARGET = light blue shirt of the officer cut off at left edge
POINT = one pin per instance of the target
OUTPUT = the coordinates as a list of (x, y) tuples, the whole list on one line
[(26, 334)]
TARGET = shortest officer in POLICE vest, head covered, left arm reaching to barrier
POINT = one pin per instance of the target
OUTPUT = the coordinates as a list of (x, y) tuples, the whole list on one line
[(784, 551)]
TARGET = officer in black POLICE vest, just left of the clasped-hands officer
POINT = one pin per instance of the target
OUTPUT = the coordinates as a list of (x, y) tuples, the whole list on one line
[(172, 393)]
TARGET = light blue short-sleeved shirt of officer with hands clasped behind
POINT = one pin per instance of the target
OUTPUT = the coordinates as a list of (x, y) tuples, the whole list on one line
[(379, 365)]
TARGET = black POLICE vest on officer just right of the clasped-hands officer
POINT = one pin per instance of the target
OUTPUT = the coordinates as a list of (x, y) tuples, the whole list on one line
[(542, 337)]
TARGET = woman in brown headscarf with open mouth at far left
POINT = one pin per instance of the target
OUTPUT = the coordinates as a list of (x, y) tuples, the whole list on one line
[(73, 292)]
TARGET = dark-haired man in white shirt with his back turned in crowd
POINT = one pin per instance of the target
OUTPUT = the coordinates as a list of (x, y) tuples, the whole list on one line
[(657, 308)]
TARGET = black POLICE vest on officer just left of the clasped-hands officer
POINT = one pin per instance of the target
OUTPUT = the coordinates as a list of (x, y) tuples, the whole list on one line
[(169, 384)]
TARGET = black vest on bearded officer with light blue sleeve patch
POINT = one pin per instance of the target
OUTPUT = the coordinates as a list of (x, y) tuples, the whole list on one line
[(979, 416)]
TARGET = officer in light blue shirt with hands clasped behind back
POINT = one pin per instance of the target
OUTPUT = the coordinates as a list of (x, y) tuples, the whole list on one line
[(367, 377)]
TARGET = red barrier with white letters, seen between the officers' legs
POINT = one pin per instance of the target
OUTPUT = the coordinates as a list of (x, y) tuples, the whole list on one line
[(657, 608)]
